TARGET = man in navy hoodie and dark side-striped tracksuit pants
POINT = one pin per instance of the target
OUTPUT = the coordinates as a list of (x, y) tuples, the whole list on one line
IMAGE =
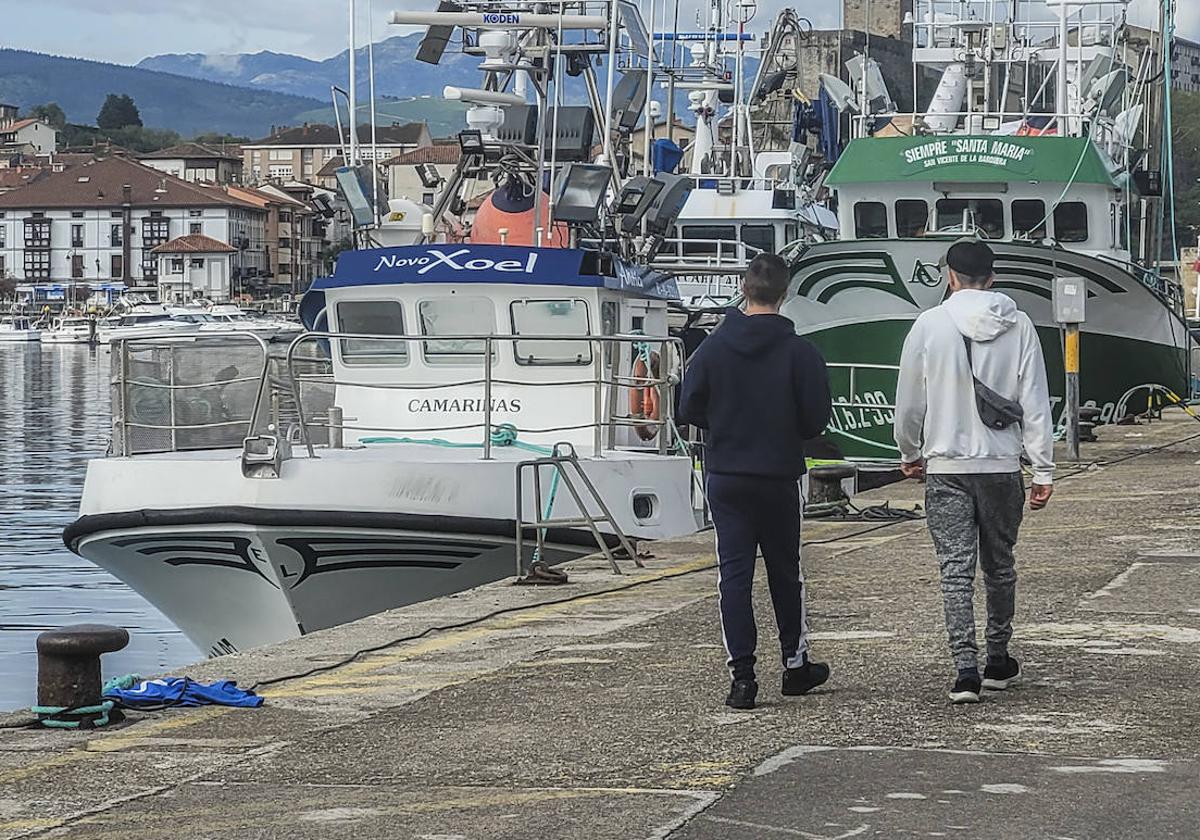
[(761, 392)]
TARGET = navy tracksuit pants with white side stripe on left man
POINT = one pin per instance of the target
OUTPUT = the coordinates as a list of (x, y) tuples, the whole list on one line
[(753, 514)]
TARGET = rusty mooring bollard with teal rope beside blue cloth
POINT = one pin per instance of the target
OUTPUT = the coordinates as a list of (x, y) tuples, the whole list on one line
[(69, 681)]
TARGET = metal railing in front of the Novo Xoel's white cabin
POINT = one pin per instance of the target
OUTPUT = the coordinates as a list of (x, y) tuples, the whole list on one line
[(608, 359)]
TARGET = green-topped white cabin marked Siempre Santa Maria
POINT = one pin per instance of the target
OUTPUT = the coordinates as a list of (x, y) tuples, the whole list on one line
[(1035, 189)]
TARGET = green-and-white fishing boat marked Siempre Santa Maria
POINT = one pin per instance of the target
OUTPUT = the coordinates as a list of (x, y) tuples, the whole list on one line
[(1034, 142)]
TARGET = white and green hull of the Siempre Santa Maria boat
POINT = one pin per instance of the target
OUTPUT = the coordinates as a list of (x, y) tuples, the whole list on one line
[(857, 301)]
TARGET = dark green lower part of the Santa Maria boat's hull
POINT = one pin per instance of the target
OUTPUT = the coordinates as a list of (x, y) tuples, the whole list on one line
[(862, 425)]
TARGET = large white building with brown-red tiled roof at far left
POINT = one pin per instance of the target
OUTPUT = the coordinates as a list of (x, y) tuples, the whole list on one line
[(100, 223)]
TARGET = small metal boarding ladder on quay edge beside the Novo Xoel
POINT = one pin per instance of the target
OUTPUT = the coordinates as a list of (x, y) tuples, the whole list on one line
[(567, 472)]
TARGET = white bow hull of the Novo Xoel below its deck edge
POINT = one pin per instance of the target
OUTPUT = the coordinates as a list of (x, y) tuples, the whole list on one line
[(239, 583)]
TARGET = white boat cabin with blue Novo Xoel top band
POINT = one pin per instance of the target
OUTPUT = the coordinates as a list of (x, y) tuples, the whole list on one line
[(442, 341)]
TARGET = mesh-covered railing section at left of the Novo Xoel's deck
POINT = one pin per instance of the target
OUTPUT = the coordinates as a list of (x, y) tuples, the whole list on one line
[(187, 393)]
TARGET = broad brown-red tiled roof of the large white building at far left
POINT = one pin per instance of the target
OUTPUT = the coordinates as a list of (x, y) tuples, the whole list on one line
[(100, 185)]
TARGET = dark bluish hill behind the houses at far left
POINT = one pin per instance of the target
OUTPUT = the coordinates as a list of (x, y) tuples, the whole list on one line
[(166, 101)]
